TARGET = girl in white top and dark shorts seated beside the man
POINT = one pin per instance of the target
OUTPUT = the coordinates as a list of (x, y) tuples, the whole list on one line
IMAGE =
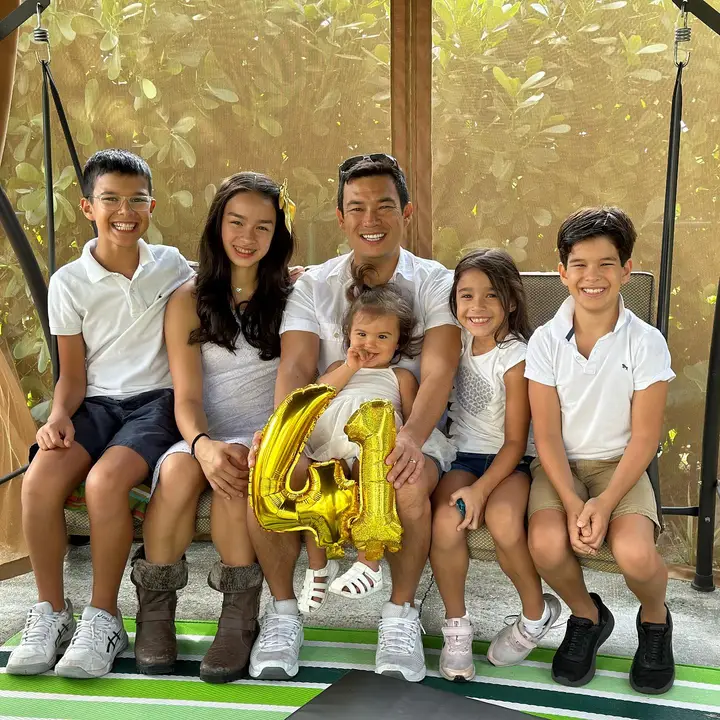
[(490, 478)]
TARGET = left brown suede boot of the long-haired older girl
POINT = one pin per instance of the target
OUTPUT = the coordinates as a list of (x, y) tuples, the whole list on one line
[(157, 586)]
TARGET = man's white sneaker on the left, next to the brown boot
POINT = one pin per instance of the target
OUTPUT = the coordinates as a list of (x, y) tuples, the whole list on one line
[(275, 653)]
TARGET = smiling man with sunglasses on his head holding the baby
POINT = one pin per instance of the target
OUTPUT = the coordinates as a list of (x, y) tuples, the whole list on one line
[(374, 212)]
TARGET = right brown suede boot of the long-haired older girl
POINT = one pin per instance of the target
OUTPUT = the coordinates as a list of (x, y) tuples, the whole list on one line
[(229, 655)]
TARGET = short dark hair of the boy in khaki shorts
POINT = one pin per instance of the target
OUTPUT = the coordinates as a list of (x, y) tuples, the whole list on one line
[(592, 222)]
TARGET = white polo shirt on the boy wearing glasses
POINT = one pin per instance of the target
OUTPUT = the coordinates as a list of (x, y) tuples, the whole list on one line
[(121, 320)]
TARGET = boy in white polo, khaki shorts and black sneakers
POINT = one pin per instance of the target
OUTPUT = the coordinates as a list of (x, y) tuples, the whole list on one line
[(598, 384)]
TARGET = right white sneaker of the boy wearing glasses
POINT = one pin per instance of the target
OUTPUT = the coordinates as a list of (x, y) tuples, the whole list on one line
[(99, 638)]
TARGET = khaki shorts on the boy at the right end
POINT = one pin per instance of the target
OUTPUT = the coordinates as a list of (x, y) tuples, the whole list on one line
[(591, 478)]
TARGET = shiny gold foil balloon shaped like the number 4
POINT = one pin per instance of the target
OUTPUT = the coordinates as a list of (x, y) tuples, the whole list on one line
[(329, 501)]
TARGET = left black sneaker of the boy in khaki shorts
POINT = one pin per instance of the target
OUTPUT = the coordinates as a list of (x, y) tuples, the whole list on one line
[(574, 661)]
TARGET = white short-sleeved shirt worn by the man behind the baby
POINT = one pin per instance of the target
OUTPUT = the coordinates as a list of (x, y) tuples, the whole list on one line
[(317, 302)]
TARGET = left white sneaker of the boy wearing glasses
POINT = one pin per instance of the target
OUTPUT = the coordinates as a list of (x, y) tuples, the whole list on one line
[(45, 635)]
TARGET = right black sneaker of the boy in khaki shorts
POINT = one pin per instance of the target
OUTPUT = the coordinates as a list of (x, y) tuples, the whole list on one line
[(653, 668)]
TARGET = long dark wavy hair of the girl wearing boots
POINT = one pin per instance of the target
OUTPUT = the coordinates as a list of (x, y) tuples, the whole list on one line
[(259, 318)]
